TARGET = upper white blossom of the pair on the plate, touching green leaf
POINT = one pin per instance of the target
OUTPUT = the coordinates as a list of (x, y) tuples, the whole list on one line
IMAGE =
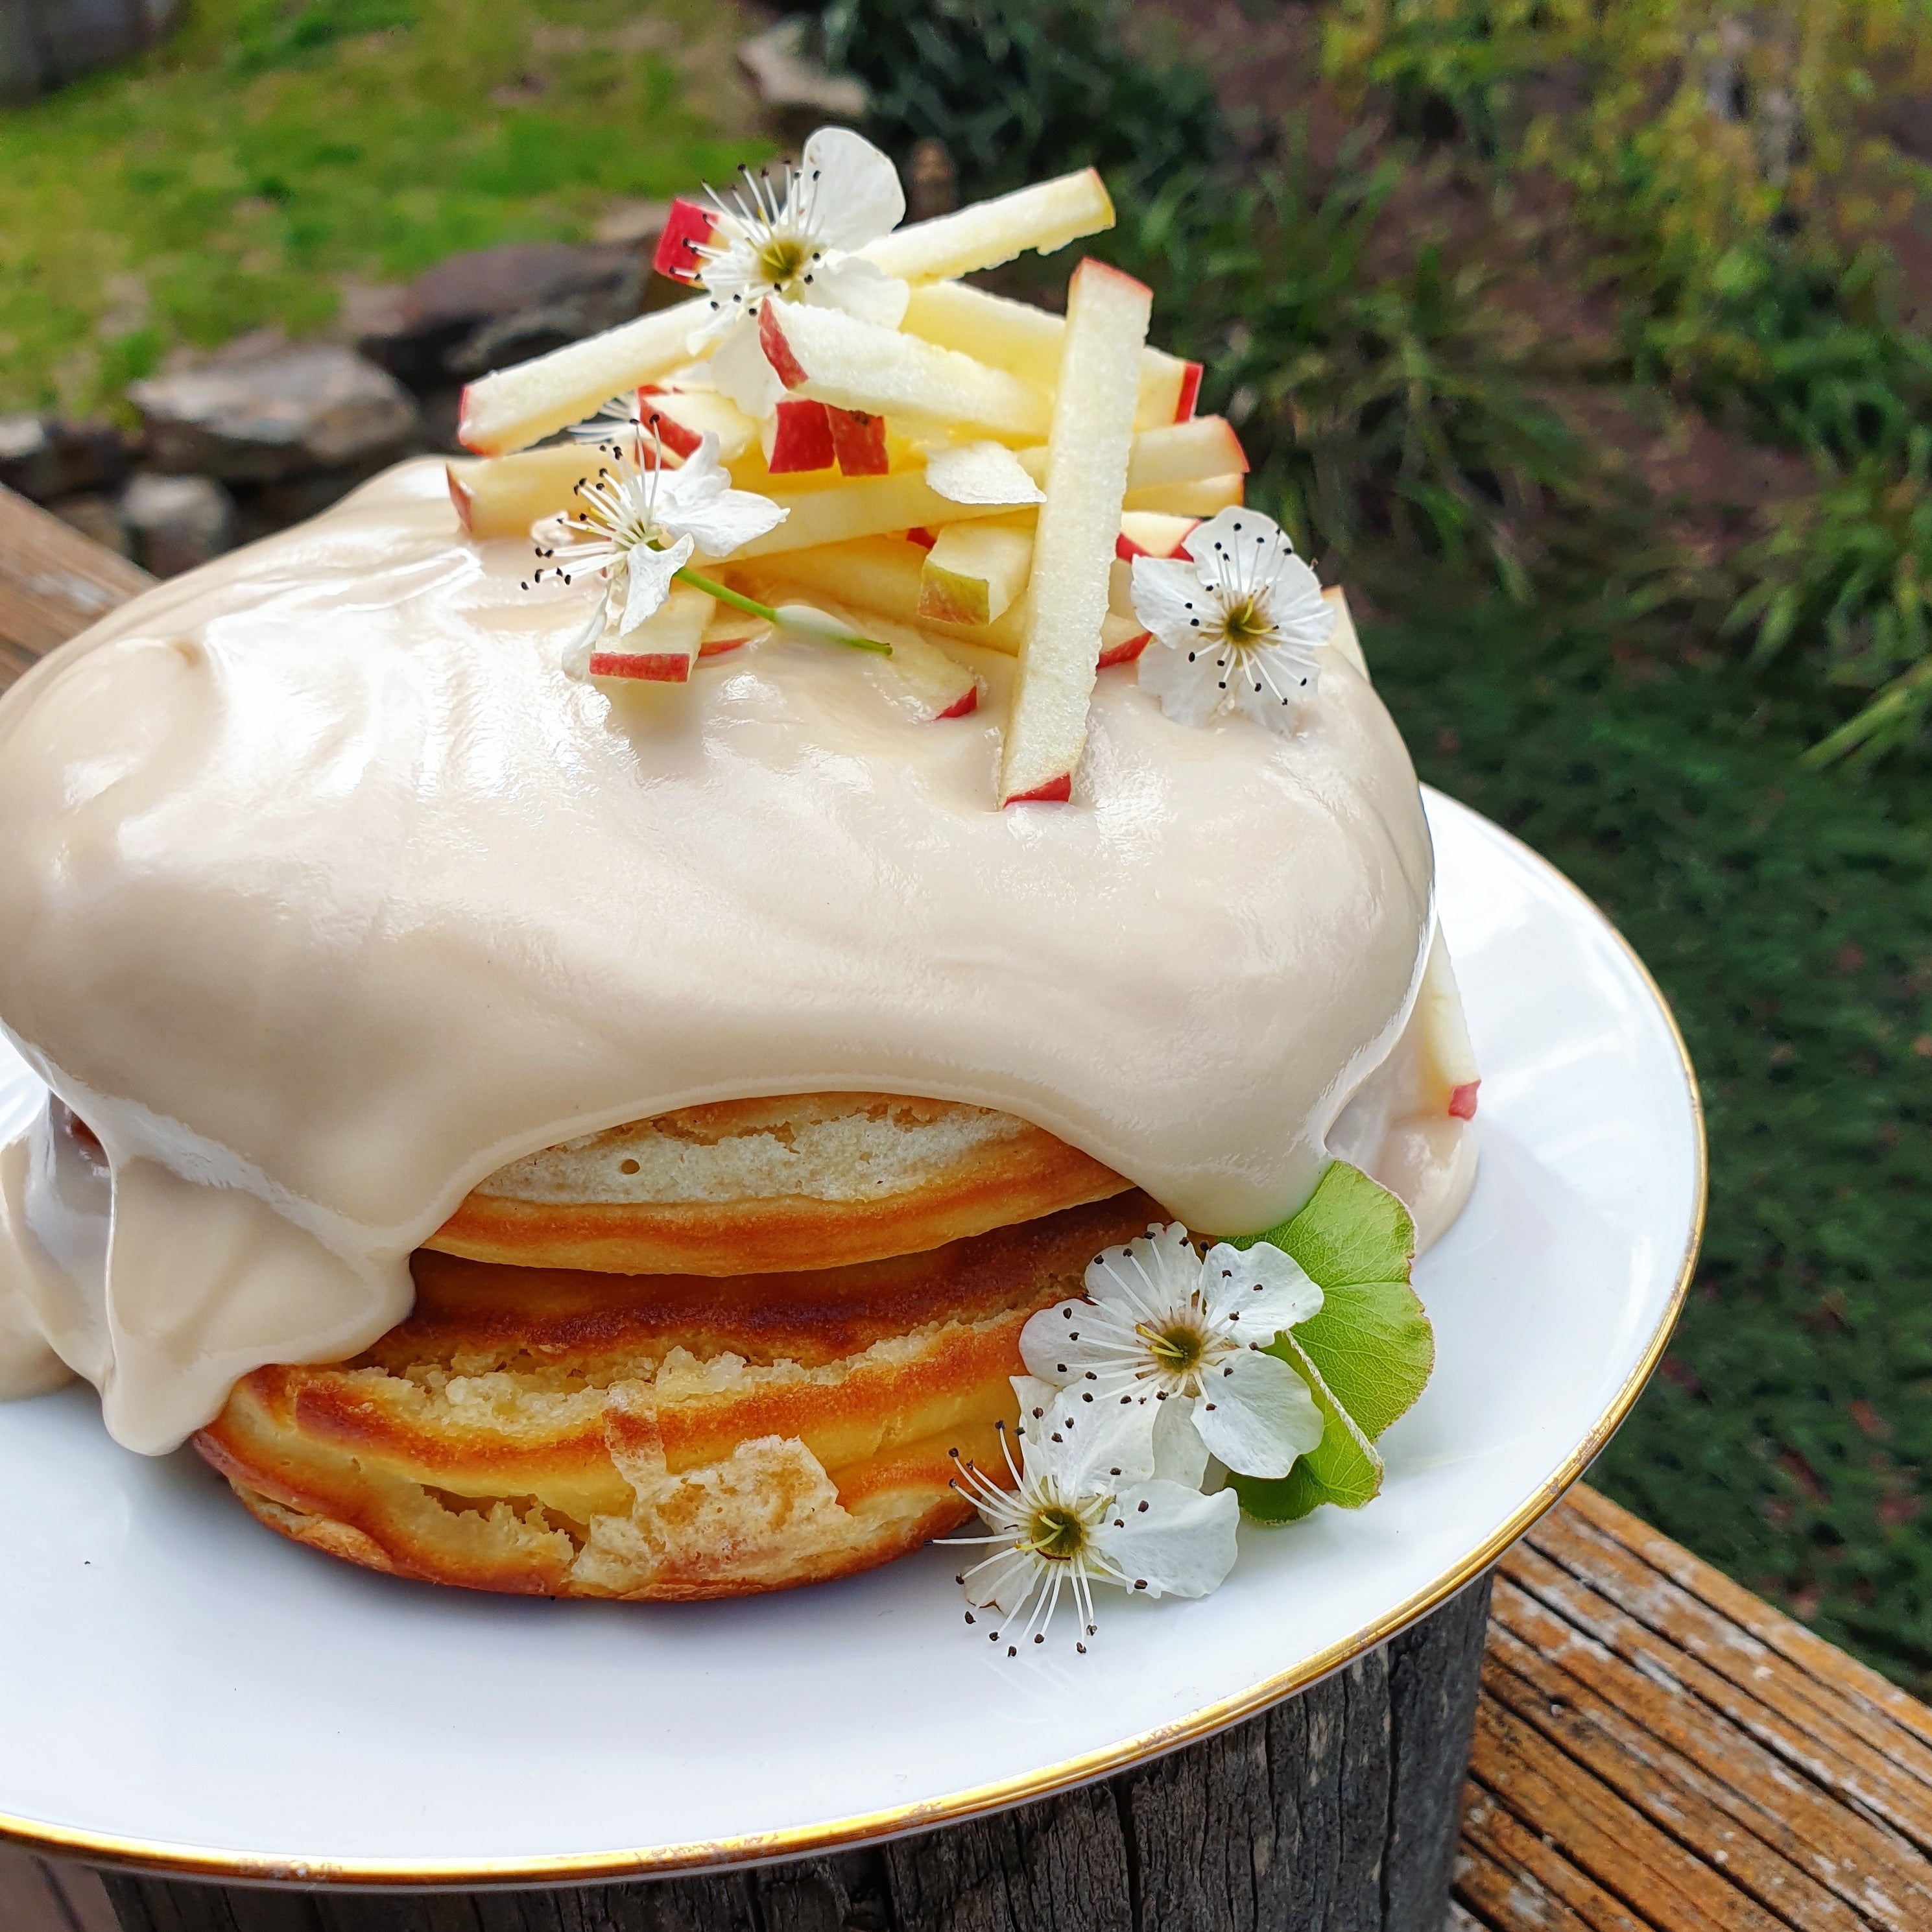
[(1164, 1322)]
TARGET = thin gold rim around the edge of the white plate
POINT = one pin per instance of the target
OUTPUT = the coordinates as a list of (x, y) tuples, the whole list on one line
[(762, 1848)]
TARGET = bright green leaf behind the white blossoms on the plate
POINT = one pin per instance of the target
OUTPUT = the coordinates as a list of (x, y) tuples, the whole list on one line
[(1365, 1357)]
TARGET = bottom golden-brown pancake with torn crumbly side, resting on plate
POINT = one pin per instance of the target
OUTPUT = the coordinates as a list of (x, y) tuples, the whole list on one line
[(559, 1433)]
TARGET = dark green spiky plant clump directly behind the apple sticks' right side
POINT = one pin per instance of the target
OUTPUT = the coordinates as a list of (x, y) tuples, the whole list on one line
[(1373, 405)]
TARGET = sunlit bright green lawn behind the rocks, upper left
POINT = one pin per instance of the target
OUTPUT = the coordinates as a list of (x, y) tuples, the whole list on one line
[(273, 150)]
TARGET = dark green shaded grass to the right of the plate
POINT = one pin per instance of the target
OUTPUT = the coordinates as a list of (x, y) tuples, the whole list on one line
[(1788, 917)]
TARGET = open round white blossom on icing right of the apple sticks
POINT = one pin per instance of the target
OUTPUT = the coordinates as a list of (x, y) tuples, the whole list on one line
[(1239, 627)]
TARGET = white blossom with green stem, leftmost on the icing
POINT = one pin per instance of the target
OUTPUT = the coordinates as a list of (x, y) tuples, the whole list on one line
[(640, 525)]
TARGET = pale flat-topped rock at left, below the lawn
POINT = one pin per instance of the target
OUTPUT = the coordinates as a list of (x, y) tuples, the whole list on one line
[(268, 409)]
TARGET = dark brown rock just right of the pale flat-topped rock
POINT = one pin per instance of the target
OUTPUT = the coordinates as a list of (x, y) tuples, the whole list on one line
[(503, 304)]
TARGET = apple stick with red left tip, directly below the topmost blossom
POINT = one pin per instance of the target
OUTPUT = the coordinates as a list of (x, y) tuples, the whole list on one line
[(859, 366)]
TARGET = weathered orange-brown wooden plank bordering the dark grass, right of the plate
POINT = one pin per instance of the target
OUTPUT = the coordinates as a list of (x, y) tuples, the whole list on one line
[(1645, 1618)]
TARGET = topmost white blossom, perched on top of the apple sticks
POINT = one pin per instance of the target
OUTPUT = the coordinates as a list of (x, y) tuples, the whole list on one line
[(799, 239)]
